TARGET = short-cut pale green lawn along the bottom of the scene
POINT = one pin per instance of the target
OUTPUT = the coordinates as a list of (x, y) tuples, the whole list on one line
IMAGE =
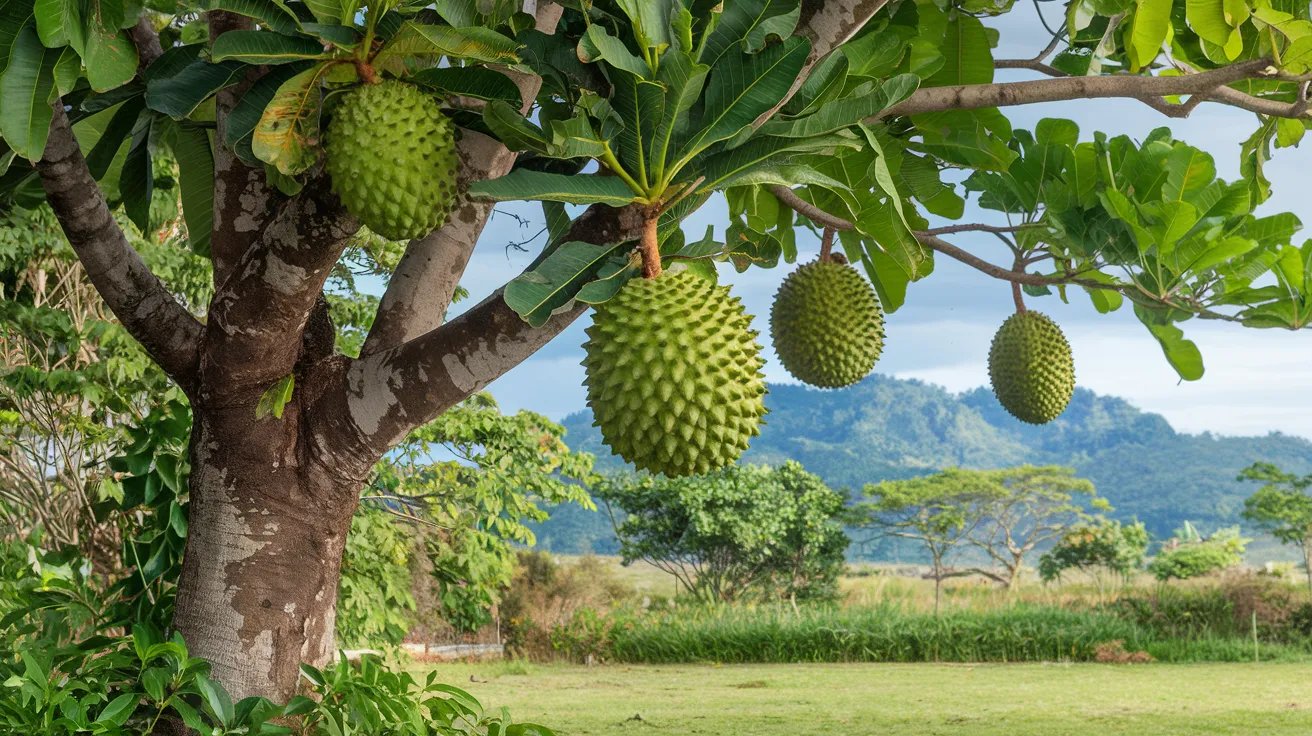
[(843, 700)]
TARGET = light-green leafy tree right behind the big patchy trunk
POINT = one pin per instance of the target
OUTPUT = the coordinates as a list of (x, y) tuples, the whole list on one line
[(472, 508)]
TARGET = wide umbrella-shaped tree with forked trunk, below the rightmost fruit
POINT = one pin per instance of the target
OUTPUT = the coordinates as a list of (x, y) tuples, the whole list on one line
[(1036, 506)]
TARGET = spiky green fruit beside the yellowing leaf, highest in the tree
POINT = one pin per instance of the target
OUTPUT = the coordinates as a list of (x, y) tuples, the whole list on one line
[(392, 157)]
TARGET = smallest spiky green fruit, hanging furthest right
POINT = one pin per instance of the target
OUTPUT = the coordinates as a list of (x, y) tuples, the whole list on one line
[(1032, 368)]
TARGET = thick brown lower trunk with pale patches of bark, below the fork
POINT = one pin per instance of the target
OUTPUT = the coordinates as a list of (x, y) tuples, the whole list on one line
[(268, 527)]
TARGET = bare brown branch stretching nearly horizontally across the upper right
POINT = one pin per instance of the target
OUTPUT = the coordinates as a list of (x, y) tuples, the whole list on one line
[(1062, 89)]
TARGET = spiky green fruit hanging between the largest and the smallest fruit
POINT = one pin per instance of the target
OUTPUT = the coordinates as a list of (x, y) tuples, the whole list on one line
[(827, 325)]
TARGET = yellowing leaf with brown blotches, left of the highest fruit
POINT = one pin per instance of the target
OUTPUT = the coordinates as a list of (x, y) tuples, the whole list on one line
[(288, 133)]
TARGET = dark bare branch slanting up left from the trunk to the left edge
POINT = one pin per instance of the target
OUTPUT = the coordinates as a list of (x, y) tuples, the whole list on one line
[(141, 302)]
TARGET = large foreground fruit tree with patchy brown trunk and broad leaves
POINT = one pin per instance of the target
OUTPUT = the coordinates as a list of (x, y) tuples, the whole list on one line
[(825, 115)]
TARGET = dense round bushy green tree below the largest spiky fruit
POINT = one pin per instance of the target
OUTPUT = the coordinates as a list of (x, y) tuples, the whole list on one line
[(742, 532)]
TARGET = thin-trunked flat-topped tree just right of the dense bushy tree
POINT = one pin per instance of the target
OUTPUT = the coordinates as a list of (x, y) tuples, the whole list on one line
[(939, 511)]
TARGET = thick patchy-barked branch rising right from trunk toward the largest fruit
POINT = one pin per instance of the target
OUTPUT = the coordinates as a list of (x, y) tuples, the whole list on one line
[(390, 393)]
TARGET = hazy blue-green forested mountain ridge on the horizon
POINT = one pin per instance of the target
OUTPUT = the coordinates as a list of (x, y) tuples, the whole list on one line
[(889, 428)]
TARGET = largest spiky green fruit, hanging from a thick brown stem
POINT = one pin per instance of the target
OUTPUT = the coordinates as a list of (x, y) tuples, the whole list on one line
[(675, 375)]
